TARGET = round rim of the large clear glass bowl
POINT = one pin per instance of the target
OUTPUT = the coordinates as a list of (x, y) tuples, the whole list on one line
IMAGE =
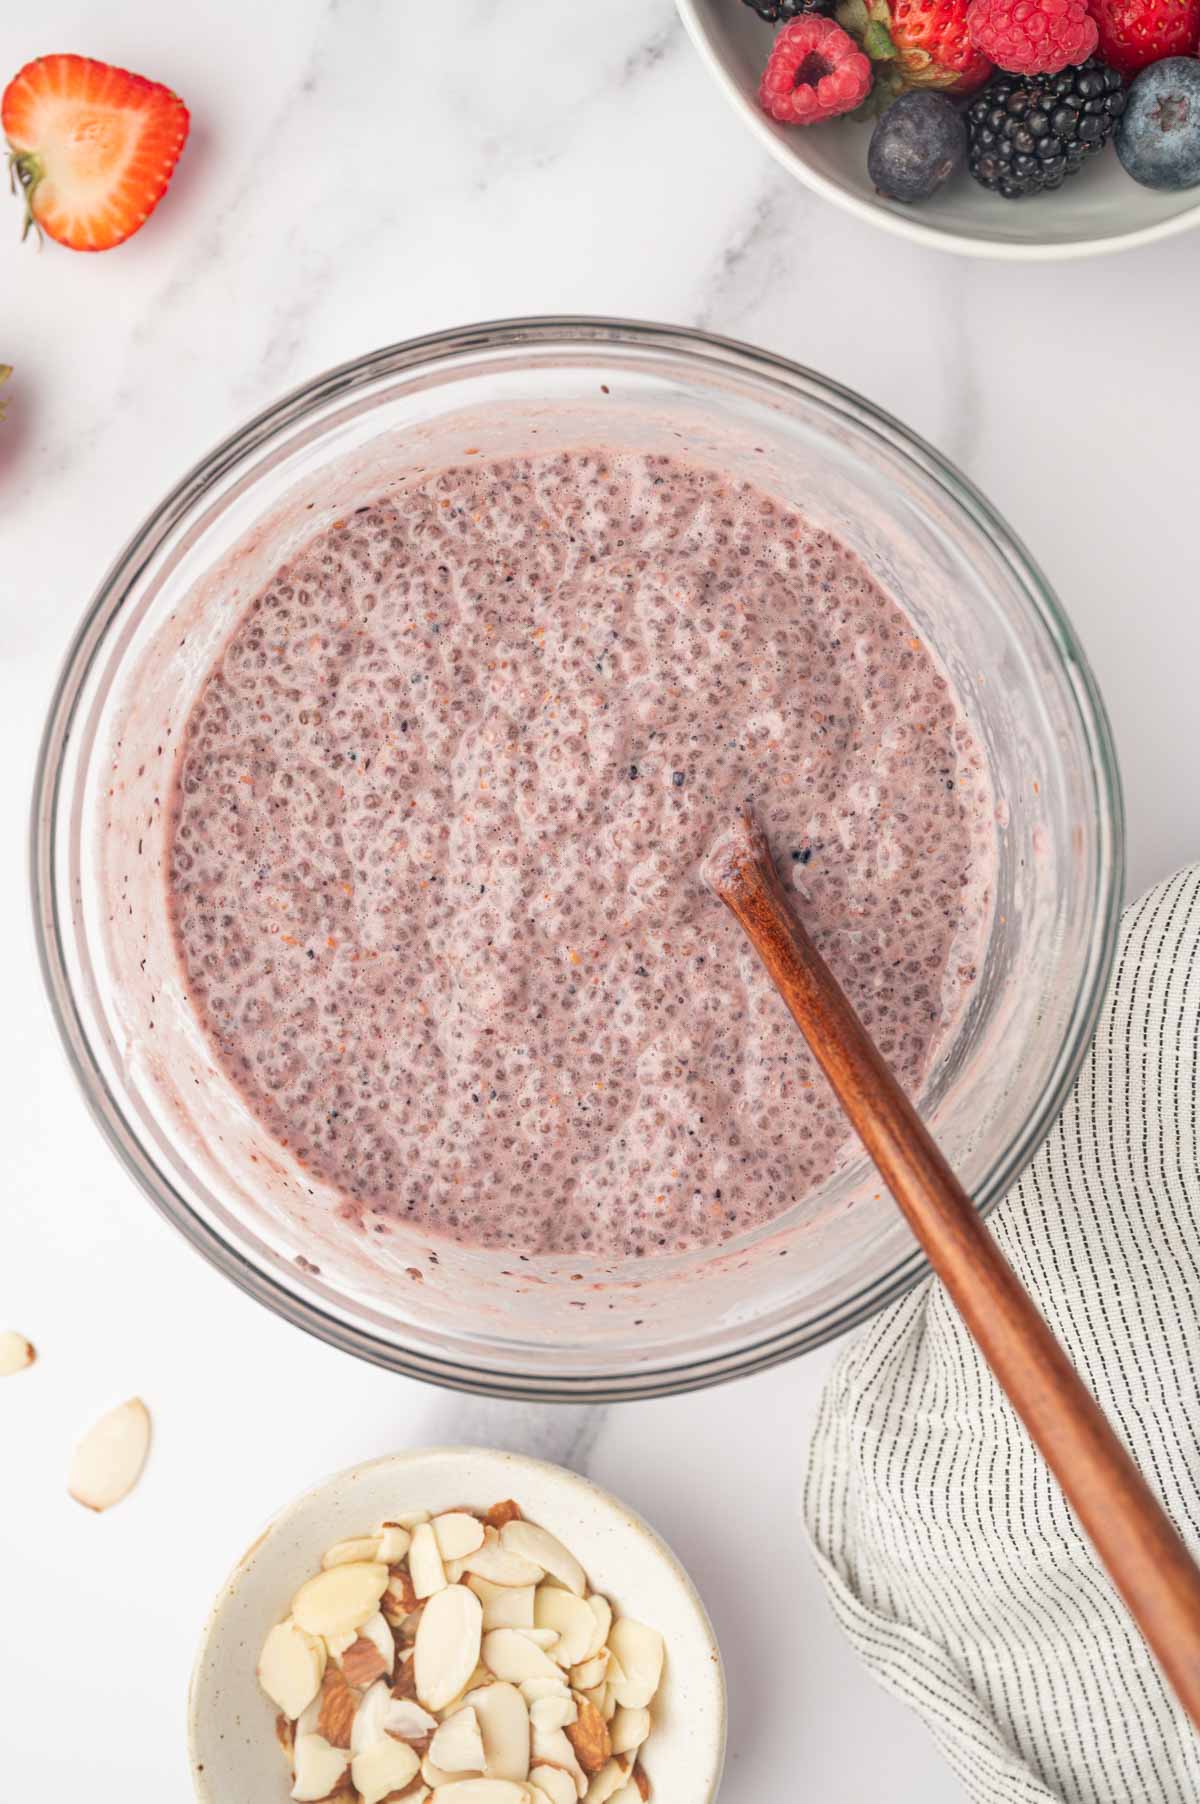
[(672, 1374)]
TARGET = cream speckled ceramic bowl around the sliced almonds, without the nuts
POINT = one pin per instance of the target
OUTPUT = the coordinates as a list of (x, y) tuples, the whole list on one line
[(232, 1726)]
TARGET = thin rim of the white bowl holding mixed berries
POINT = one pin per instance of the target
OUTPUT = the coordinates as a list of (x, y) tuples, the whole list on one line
[(912, 230)]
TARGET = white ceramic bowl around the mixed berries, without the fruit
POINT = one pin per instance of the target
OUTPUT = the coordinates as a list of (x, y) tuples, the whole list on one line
[(1098, 210)]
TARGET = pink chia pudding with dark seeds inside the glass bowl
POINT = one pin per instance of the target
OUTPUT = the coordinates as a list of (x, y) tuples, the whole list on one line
[(438, 833)]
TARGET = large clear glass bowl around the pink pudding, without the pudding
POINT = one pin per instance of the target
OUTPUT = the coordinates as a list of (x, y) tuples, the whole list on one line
[(555, 1327)]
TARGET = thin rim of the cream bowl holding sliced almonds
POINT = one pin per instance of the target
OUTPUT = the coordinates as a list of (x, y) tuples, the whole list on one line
[(544, 1471)]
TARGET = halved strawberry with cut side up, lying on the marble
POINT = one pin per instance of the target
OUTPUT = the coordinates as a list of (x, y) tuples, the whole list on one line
[(93, 149)]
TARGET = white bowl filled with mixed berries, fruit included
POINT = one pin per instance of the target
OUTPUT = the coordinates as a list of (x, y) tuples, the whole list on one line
[(1022, 129)]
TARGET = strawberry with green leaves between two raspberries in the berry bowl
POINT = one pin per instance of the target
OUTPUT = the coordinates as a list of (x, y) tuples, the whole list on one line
[(916, 44)]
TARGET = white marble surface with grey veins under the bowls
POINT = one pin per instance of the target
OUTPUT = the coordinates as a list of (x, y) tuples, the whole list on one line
[(364, 170)]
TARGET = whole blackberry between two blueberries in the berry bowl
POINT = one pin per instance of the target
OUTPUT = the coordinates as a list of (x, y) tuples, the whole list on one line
[(1031, 133)]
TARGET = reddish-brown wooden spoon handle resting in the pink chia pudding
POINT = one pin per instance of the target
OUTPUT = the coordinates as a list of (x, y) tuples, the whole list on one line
[(1125, 1522)]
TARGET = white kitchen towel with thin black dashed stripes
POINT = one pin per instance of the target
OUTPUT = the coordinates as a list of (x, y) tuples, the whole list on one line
[(950, 1556)]
